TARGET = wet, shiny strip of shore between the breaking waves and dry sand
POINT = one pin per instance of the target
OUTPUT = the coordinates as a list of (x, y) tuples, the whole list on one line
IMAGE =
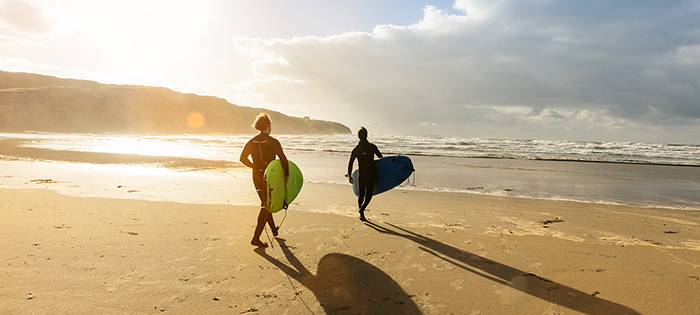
[(645, 185)]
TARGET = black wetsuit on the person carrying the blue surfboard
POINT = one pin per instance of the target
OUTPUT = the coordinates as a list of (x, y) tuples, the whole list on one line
[(364, 152)]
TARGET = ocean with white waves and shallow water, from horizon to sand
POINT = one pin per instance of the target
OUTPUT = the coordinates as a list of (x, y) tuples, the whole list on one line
[(627, 173)]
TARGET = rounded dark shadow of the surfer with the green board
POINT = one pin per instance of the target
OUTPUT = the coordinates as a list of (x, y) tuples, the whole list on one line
[(345, 284)]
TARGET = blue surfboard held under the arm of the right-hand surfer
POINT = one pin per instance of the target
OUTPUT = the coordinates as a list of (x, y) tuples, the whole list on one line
[(391, 171)]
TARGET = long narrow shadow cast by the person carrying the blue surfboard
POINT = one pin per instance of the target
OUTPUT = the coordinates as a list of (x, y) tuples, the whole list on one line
[(526, 282)]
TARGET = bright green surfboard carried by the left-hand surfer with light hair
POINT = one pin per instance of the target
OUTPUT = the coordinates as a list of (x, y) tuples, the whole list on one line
[(279, 195)]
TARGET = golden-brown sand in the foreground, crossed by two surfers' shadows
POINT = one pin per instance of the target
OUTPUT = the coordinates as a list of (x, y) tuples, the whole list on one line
[(422, 253)]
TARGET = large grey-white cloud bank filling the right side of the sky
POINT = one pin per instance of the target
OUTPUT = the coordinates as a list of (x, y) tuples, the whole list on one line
[(618, 64)]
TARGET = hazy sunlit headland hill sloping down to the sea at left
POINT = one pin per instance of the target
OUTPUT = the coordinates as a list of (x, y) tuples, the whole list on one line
[(32, 102)]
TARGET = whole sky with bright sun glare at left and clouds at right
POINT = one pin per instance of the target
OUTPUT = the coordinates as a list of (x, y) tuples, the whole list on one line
[(596, 70)]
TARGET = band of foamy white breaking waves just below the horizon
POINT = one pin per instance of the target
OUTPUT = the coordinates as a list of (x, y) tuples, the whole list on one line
[(221, 147)]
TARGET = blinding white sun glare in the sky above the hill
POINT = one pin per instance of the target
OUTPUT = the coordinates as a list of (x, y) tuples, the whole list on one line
[(140, 36)]
